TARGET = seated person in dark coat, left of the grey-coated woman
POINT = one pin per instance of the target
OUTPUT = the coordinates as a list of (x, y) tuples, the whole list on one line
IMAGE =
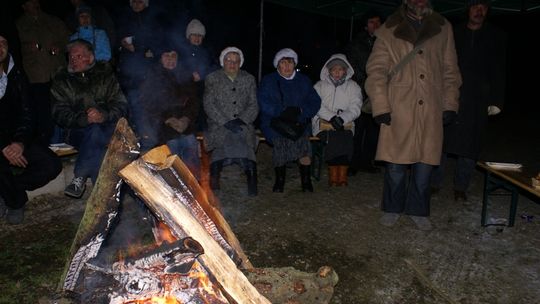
[(170, 103)]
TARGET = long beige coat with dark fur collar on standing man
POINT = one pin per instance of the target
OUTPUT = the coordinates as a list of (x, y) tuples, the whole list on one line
[(419, 93)]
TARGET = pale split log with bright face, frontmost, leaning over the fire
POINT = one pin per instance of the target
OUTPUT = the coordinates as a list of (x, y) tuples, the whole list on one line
[(161, 199)]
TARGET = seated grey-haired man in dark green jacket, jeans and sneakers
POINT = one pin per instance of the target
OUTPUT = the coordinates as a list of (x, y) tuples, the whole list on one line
[(87, 100)]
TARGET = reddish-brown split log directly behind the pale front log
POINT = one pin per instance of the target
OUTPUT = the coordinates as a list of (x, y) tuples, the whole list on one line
[(177, 175)]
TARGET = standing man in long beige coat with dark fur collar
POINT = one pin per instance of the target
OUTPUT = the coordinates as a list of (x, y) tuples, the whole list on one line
[(411, 103)]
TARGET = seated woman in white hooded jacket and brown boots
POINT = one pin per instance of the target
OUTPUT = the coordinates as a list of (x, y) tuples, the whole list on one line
[(334, 124)]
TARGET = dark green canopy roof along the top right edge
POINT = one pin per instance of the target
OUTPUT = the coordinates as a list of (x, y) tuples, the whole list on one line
[(352, 9)]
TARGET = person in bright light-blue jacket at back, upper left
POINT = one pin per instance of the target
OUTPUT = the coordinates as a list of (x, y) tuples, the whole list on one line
[(87, 31)]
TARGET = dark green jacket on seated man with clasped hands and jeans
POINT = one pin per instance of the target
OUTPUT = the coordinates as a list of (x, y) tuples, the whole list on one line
[(74, 93)]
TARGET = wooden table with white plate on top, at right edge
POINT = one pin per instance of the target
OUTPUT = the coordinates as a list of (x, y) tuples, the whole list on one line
[(510, 180)]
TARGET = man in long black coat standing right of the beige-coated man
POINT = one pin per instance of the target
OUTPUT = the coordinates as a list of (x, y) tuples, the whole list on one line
[(481, 51)]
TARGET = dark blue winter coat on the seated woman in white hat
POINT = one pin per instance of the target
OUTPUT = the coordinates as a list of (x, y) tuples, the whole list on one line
[(277, 93)]
